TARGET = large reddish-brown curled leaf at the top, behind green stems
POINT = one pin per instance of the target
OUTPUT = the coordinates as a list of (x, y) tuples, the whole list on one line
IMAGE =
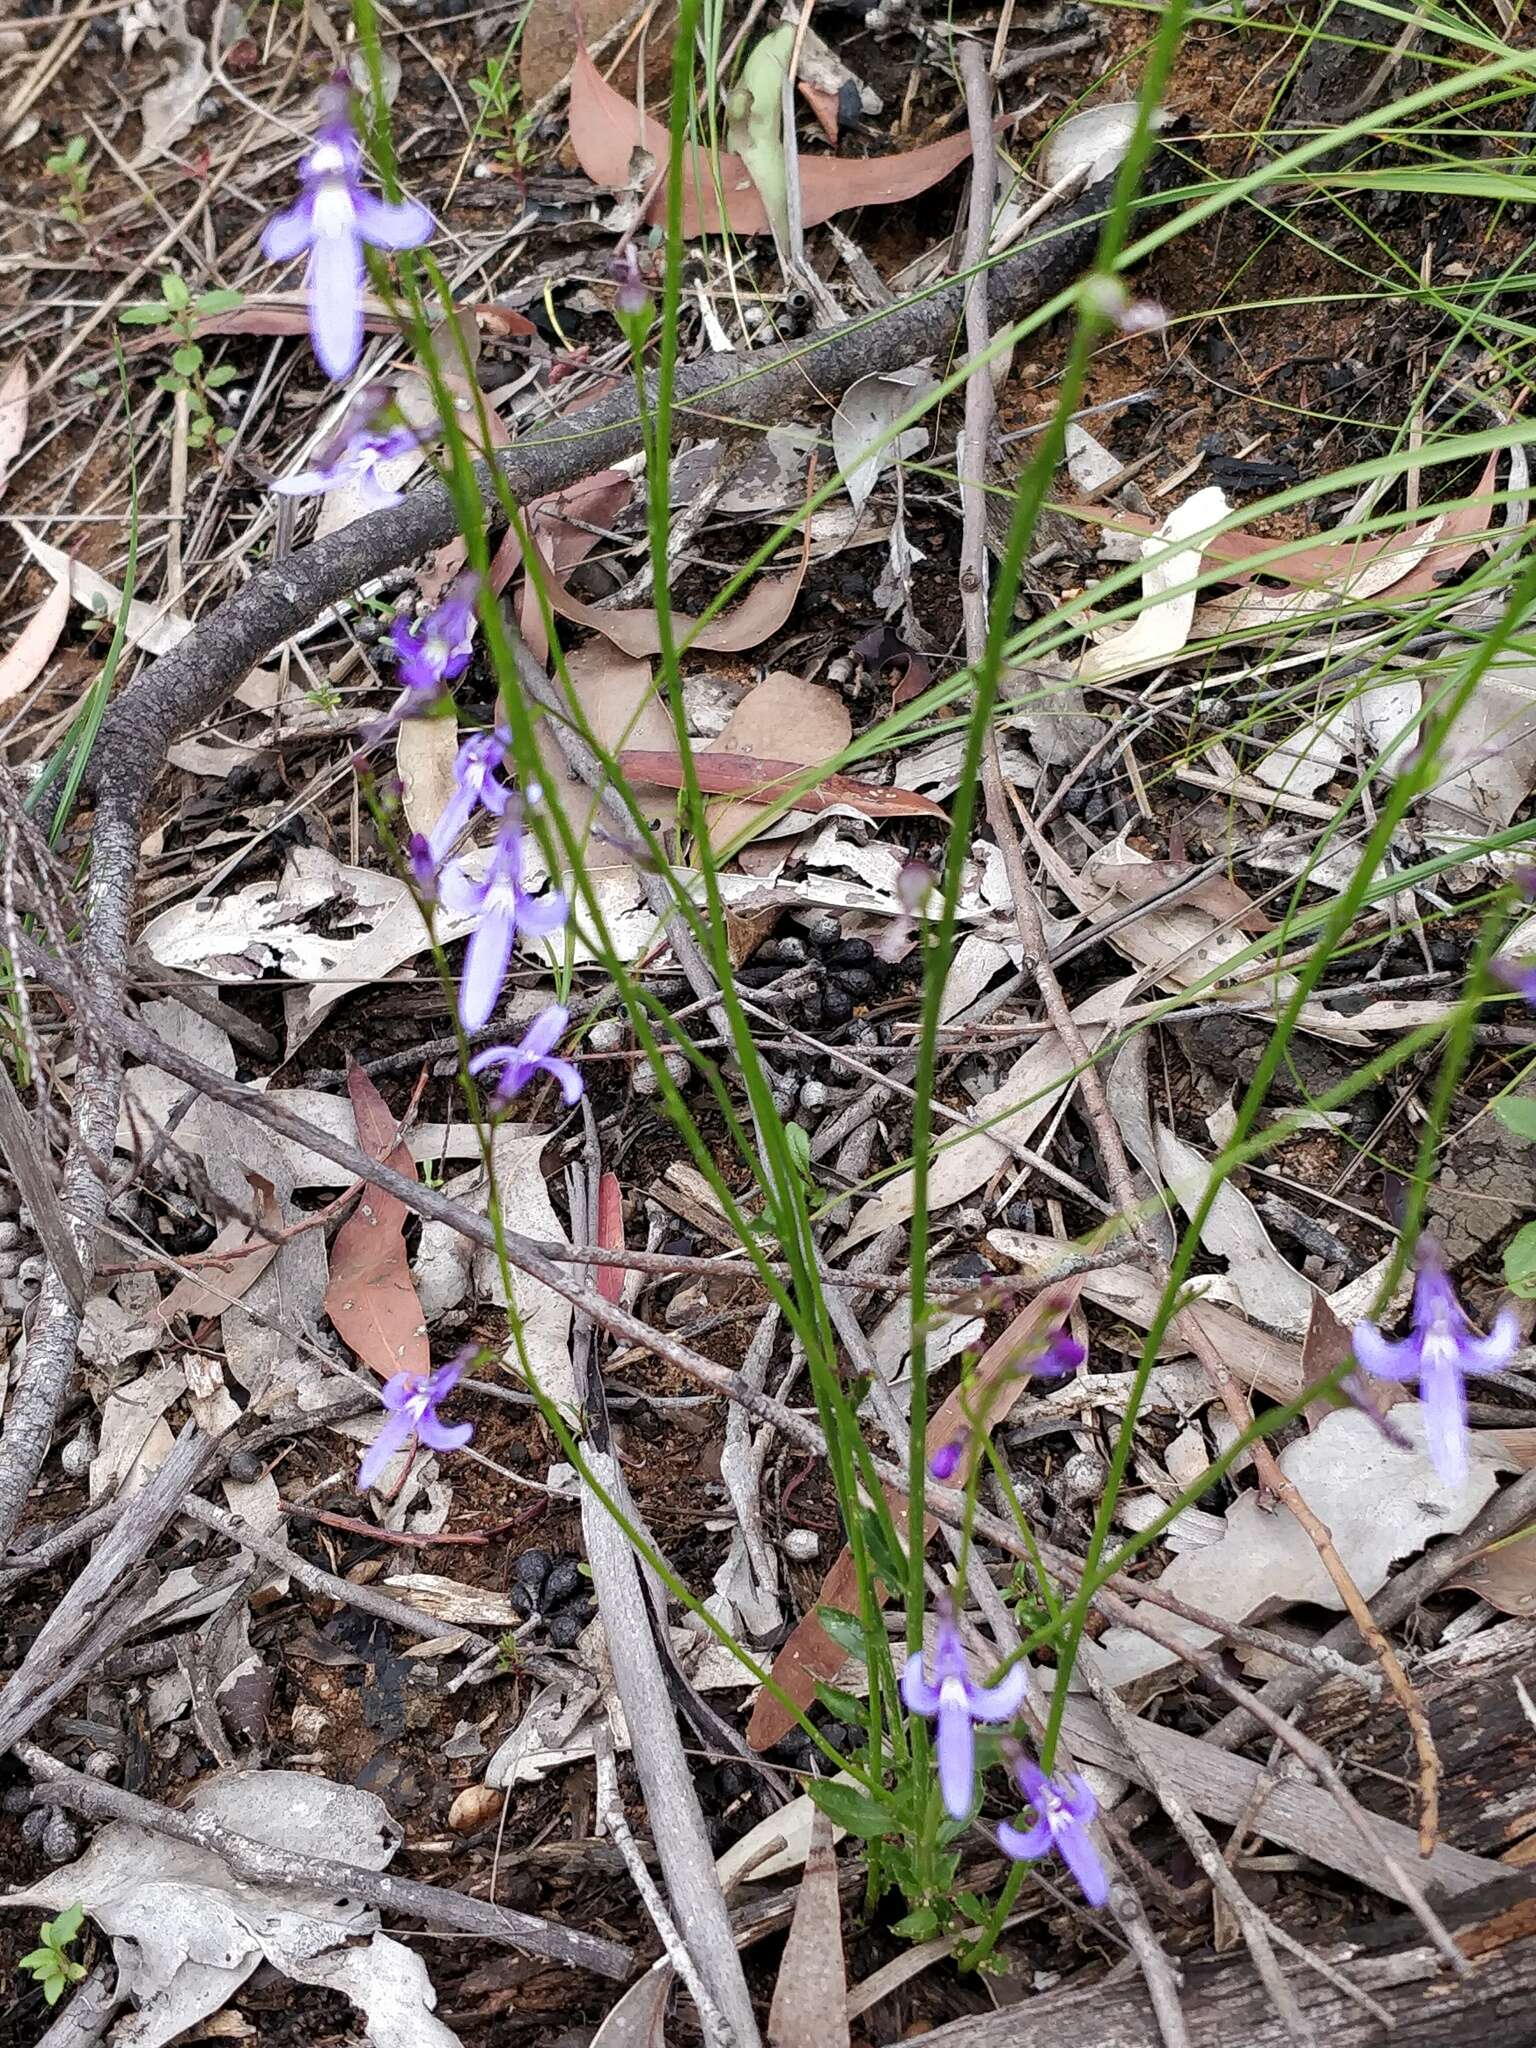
[(607, 130)]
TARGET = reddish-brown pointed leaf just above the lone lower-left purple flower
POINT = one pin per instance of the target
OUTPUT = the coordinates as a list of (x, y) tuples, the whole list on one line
[(372, 1299)]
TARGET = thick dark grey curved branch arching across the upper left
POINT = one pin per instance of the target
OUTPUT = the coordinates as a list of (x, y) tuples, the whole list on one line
[(191, 683)]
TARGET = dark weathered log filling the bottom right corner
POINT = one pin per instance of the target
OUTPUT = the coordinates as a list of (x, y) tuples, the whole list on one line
[(1492, 2006)]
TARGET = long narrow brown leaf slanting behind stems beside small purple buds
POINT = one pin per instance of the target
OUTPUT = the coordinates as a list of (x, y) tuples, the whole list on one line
[(994, 1390)]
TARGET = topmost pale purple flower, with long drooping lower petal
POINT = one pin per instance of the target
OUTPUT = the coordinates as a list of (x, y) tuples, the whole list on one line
[(333, 220)]
